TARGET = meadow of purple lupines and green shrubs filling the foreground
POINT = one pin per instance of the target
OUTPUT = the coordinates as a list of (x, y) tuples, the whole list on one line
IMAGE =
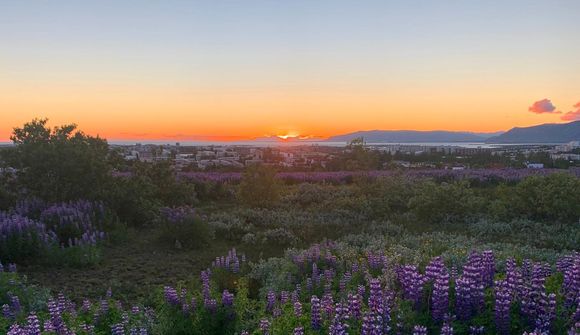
[(150, 251)]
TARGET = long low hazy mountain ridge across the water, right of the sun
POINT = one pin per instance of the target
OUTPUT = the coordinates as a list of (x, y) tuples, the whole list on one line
[(399, 136)]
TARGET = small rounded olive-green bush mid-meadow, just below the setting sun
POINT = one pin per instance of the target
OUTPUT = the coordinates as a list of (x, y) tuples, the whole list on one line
[(259, 187)]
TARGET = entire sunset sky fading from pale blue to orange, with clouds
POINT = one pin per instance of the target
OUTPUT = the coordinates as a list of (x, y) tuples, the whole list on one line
[(230, 70)]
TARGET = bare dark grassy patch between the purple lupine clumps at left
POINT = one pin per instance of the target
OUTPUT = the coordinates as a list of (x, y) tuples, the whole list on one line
[(133, 269)]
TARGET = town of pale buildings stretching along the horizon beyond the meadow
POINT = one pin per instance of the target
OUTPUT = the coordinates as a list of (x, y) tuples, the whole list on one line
[(319, 157)]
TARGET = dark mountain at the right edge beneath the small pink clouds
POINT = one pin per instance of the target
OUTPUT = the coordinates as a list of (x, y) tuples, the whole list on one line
[(545, 133)]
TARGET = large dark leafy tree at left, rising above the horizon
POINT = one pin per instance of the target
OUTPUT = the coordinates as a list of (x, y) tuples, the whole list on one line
[(59, 164)]
